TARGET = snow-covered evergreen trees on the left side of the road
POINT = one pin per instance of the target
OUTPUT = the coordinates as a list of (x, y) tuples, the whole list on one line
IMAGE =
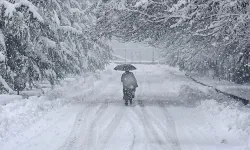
[(47, 40)]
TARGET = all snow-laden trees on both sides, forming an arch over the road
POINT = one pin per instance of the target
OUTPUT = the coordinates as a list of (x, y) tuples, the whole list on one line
[(49, 39)]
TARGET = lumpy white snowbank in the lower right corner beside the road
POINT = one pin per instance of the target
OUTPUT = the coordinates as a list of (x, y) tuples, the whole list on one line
[(236, 120)]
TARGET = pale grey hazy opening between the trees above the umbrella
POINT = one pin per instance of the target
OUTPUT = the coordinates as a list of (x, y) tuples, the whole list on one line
[(134, 51)]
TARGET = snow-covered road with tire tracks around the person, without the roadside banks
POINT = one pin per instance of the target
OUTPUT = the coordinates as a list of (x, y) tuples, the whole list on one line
[(164, 116)]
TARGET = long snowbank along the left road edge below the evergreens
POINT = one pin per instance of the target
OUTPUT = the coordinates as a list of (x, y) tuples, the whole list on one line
[(19, 114)]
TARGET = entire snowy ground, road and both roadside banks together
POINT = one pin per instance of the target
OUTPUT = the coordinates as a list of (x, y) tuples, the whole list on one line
[(169, 112)]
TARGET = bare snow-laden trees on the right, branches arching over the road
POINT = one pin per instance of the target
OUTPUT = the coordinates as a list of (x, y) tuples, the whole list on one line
[(196, 35)]
